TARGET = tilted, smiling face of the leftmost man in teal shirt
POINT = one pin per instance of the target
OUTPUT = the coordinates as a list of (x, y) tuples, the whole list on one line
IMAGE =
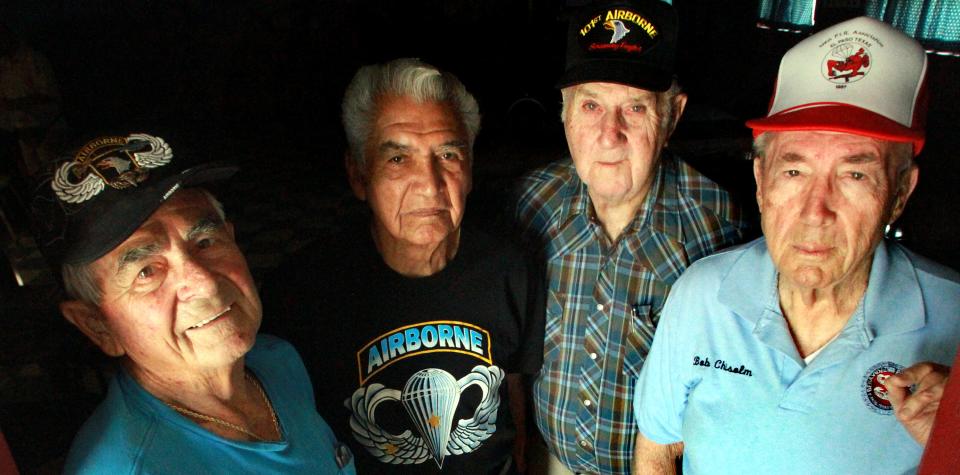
[(177, 294)]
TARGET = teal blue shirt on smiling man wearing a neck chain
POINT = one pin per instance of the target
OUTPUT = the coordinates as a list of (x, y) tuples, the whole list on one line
[(132, 432)]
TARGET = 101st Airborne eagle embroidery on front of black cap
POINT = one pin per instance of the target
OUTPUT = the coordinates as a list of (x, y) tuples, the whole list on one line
[(618, 30)]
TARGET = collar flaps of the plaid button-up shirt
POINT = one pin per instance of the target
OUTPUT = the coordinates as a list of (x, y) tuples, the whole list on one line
[(660, 212)]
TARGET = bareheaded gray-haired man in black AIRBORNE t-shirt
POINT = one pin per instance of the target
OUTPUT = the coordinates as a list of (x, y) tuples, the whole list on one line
[(414, 325)]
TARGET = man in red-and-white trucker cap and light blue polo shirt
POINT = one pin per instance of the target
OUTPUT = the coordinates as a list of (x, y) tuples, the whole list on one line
[(782, 356)]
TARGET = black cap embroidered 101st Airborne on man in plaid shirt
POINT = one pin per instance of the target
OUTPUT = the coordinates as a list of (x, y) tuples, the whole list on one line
[(625, 42)]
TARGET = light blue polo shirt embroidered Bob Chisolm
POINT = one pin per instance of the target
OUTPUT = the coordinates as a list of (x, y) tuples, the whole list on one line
[(725, 377)]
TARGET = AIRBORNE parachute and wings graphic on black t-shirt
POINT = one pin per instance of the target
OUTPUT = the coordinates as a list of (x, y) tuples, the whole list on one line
[(429, 397)]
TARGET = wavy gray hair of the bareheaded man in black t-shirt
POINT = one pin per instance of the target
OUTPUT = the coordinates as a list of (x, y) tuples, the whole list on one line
[(404, 77)]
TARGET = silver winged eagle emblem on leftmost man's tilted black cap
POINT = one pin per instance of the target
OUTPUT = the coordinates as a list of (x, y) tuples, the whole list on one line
[(118, 162)]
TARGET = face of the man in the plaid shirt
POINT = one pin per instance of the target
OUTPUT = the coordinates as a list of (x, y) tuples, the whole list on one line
[(613, 132)]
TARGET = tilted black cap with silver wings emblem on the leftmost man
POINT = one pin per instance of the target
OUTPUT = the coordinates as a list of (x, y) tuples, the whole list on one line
[(97, 198)]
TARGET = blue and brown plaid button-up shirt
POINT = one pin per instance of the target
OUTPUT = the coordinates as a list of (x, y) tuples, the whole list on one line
[(604, 298)]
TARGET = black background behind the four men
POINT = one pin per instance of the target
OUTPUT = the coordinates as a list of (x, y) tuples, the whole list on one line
[(259, 82)]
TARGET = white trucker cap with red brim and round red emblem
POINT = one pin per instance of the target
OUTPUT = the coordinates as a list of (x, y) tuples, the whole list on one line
[(861, 77)]
